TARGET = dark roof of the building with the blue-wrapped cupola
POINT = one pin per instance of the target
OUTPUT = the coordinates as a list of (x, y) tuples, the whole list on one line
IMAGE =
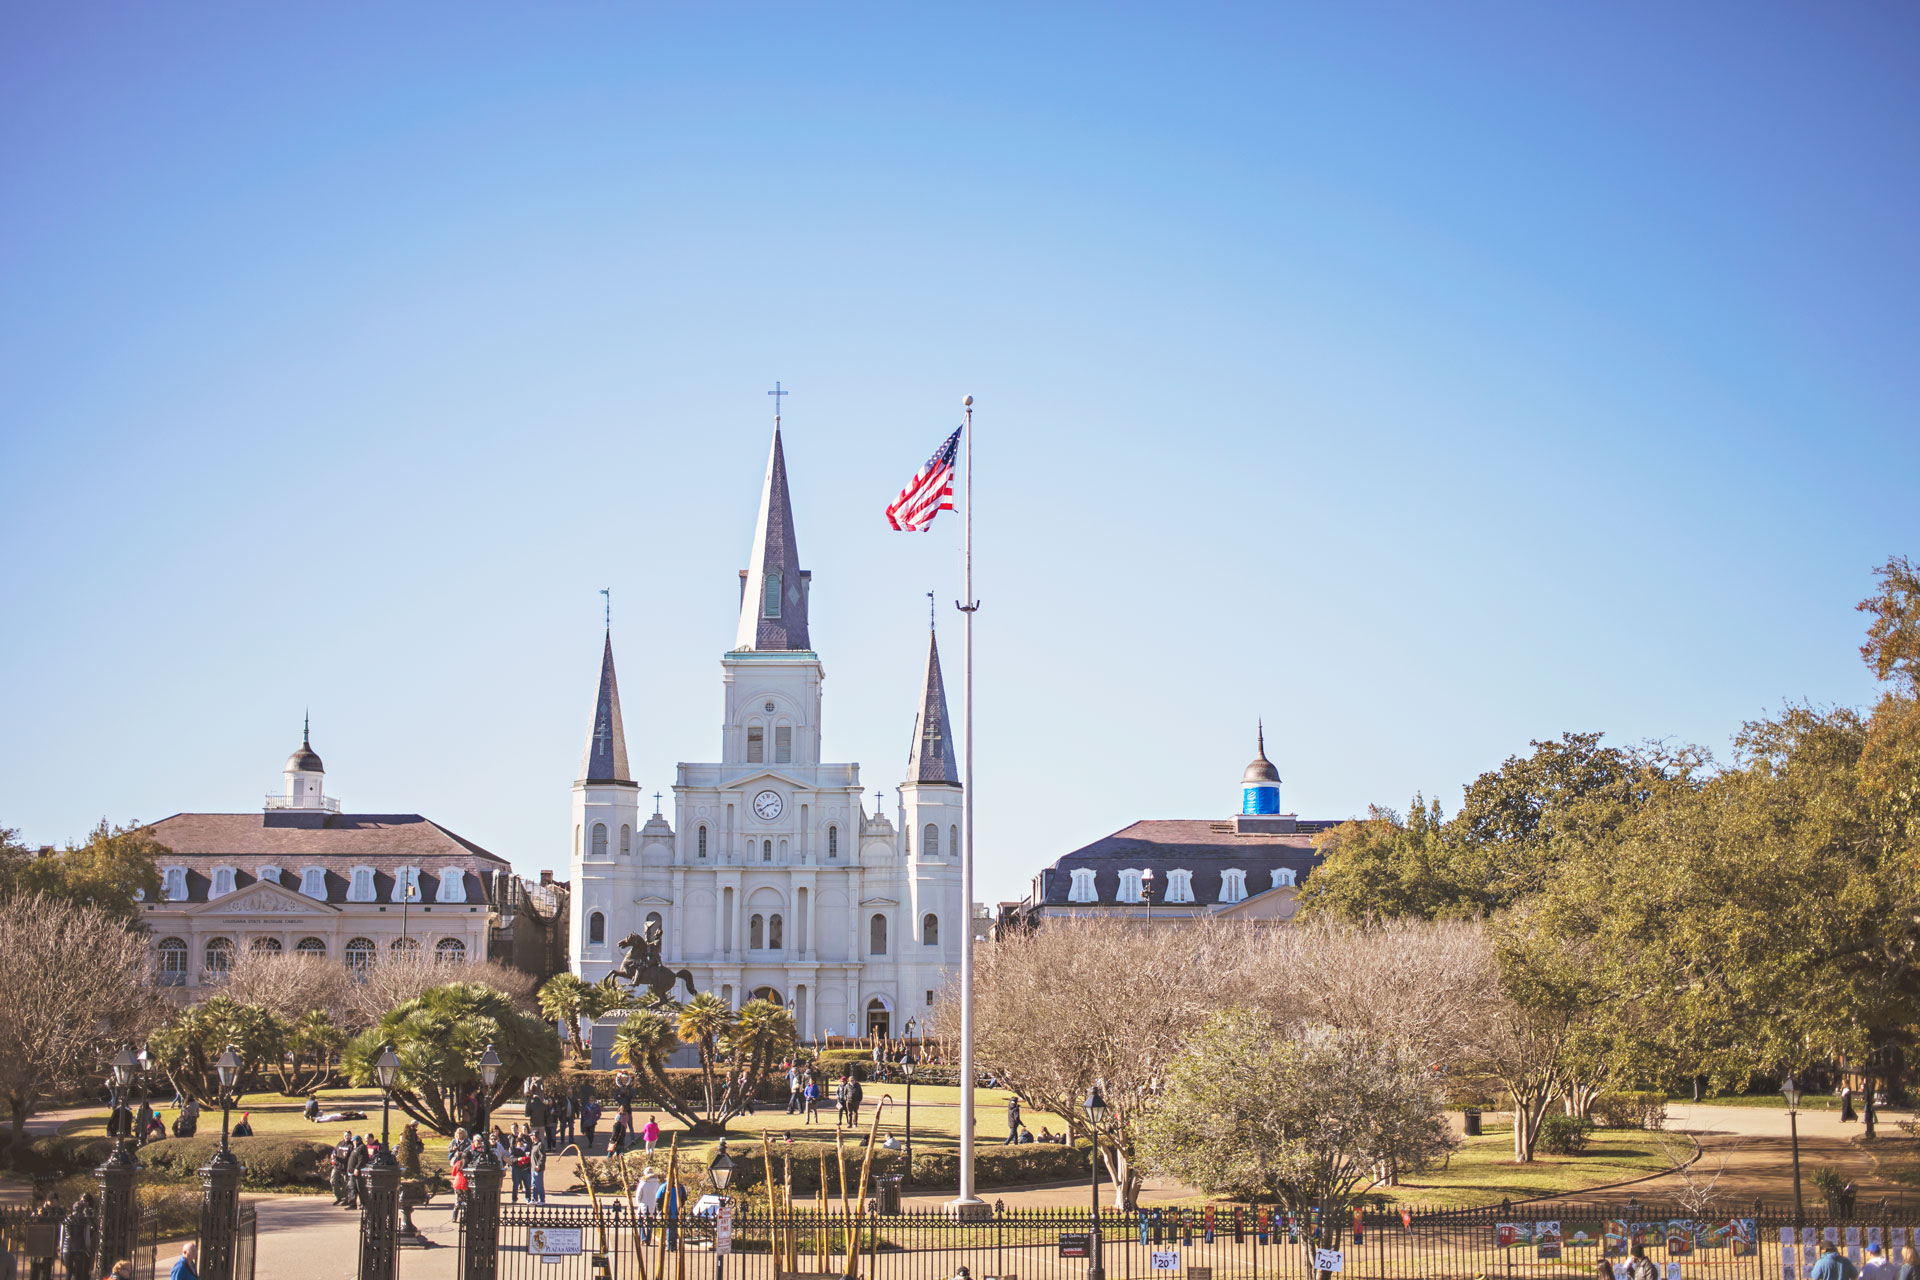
[(1203, 847)]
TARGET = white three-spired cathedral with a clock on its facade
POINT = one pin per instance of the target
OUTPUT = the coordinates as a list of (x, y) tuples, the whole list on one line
[(775, 882)]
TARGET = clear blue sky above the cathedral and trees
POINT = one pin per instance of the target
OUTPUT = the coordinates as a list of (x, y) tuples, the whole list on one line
[(1424, 379)]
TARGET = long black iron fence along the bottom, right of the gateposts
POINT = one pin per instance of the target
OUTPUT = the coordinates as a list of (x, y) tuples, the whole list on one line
[(1212, 1243)]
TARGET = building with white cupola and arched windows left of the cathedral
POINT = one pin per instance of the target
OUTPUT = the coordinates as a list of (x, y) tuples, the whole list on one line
[(304, 878)]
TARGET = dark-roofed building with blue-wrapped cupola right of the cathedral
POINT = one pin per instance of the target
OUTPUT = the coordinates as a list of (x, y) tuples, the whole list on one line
[(1245, 866)]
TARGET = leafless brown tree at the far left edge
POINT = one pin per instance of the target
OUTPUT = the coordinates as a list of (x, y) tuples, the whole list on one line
[(74, 985)]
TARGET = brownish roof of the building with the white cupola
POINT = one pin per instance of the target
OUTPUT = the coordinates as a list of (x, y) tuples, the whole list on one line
[(299, 840)]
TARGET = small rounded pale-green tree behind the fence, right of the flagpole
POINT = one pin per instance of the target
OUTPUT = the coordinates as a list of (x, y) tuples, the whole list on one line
[(1310, 1118)]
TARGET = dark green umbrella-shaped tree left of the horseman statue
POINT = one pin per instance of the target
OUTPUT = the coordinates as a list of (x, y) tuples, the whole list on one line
[(441, 1037)]
